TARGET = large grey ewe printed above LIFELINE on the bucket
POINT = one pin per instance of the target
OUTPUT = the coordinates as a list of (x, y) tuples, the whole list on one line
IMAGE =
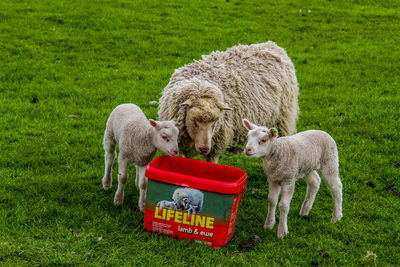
[(188, 199)]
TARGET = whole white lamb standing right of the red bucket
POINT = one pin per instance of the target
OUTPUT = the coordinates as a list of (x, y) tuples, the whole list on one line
[(290, 158)]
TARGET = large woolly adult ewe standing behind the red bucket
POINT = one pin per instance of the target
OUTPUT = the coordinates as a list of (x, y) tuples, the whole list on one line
[(210, 97)]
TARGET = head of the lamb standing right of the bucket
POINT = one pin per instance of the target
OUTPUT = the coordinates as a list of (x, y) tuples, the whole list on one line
[(259, 139)]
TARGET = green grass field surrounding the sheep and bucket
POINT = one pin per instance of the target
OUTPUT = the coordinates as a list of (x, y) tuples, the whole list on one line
[(64, 65)]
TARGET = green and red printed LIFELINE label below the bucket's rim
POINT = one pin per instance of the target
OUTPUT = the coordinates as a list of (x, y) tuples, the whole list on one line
[(190, 213)]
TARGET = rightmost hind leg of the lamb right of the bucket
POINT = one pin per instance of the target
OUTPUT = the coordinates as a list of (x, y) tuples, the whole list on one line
[(335, 185)]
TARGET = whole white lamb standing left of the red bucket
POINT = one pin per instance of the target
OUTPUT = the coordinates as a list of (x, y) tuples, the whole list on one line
[(138, 140)]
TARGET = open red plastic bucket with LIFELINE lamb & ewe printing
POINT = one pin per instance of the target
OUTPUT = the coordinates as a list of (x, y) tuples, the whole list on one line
[(192, 199)]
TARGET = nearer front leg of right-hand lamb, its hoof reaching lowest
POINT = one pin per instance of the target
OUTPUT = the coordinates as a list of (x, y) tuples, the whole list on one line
[(284, 206)]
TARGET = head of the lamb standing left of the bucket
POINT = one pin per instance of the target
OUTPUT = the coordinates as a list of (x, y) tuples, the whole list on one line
[(166, 136)]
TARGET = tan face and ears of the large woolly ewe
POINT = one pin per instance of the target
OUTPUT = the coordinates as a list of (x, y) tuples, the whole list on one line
[(201, 117)]
